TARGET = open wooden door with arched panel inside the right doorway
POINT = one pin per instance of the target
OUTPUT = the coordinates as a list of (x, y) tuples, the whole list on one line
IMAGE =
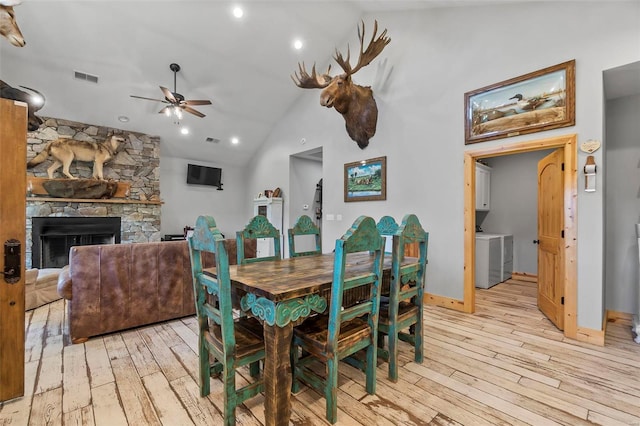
[(551, 238)]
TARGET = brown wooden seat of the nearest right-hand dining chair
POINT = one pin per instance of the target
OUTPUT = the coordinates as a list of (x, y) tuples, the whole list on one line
[(313, 333)]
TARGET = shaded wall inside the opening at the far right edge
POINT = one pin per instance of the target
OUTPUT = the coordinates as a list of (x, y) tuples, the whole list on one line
[(622, 170)]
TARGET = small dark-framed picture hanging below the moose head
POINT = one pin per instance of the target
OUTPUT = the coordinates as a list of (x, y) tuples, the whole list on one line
[(366, 180)]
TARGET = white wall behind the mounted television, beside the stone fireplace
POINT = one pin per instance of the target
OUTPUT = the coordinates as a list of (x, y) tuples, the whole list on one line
[(184, 203)]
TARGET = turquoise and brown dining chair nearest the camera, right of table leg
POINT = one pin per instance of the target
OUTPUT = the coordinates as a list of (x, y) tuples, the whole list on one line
[(345, 330)]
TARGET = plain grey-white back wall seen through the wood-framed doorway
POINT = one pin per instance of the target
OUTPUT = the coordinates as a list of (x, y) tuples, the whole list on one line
[(514, 205)]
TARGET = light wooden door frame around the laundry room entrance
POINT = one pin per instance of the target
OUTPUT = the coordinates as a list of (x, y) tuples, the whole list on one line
[(568, 143)]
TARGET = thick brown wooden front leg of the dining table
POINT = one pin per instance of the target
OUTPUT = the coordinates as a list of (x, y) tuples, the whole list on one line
[(277, 374)]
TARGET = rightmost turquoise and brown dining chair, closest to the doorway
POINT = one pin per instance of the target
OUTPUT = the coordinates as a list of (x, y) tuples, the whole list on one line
[(401, 313)]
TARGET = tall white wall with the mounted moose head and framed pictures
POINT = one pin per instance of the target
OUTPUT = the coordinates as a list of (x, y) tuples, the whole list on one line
[(435, 56)]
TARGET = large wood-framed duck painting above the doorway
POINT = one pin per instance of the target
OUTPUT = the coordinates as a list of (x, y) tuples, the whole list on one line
[(541, 100)]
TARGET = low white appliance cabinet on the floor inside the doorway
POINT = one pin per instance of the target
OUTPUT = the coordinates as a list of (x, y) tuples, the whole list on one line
[(494, 259)]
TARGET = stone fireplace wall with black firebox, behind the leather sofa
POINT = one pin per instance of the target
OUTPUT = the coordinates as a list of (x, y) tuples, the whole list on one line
[(137, 163)]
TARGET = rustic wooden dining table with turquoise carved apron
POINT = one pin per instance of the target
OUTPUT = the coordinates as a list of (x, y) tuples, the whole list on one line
[(281, 294)]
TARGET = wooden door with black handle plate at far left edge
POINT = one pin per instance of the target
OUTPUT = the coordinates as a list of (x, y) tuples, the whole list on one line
[(13, 159)]
